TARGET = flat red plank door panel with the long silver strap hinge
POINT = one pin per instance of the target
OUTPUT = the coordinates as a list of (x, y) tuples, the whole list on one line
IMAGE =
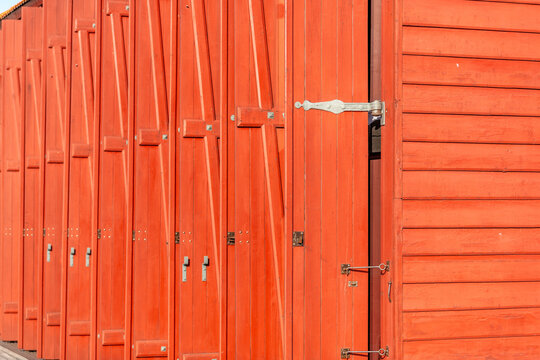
[(329, 191)]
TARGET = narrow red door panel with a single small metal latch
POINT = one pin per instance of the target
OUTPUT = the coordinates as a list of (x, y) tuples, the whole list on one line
[(54, 176)]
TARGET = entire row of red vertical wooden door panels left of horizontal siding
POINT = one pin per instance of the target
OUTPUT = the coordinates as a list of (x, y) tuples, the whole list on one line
[(163, 197)]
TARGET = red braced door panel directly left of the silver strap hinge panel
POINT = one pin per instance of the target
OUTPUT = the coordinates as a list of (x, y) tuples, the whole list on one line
[(257, 96)]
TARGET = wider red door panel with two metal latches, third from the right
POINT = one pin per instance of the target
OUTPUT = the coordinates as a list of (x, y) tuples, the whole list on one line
[(198, 180)]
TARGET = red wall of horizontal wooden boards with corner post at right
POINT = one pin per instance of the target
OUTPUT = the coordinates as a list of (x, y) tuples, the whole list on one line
[(459, 171)]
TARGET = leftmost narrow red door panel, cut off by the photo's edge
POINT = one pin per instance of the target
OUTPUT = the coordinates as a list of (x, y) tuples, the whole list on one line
[(12, 142)]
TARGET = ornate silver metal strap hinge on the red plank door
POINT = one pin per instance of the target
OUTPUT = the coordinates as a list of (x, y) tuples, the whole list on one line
[(376, 108)]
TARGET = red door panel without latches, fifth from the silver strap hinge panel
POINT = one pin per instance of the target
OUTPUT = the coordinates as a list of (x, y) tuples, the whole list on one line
[(115, 179)]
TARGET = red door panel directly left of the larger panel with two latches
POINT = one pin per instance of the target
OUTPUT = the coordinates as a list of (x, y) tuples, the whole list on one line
[(153, 234)]
